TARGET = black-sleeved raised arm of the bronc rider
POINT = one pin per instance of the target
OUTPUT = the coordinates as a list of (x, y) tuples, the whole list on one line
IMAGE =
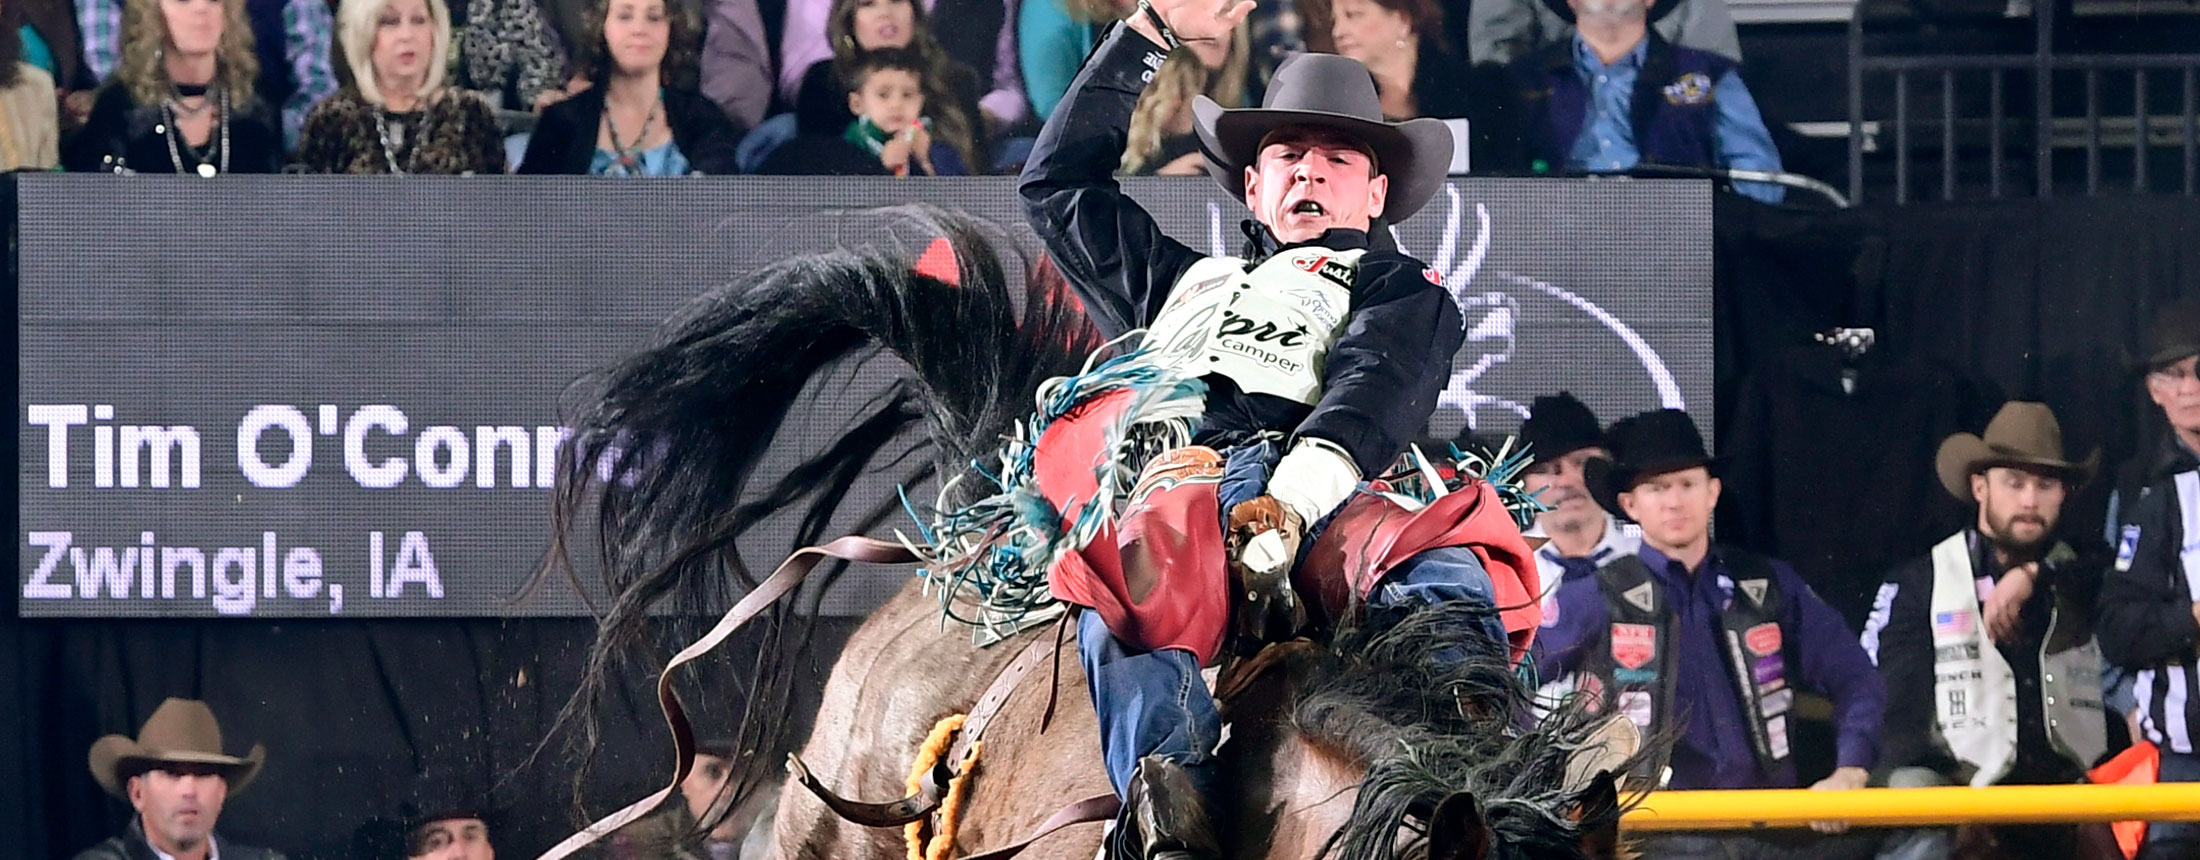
[(1110, 250)]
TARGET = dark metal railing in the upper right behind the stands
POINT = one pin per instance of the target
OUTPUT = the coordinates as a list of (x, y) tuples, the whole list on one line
[(2142, 133)]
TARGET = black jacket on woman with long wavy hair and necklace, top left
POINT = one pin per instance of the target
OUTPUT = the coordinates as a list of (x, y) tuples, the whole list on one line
[(122, 133)]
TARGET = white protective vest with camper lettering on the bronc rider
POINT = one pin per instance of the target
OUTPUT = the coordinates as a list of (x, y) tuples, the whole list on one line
[(1268, 329)]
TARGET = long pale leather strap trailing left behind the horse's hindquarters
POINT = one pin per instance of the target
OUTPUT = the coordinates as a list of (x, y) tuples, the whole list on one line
[(751, 606)]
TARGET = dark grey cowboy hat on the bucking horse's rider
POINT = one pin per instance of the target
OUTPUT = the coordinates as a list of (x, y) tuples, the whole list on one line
[(1339, 93)]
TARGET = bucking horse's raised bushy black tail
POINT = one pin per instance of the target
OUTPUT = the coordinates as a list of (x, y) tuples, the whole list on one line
[(668, 441)]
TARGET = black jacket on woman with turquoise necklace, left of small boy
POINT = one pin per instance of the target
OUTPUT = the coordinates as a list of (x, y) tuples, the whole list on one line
[(566, 135)]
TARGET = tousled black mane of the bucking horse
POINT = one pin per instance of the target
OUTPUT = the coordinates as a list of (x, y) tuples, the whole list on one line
[(1433, 707)]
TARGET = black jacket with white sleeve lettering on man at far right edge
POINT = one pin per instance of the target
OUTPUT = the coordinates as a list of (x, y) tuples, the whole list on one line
[(2146, 608)]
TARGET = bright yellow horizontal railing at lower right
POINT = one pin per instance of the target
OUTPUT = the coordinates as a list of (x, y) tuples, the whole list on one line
[(1915, 806)]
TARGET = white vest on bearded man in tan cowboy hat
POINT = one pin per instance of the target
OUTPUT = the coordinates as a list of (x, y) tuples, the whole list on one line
[(1974, 690)]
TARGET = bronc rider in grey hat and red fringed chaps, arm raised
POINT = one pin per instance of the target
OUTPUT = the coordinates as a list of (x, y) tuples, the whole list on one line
[(1268, 388)]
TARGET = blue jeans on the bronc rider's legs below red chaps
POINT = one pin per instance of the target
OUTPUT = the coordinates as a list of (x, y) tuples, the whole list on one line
[(1154, 703)]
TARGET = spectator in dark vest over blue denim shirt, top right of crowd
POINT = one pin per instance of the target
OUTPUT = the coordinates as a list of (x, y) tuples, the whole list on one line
[(1581, 96)]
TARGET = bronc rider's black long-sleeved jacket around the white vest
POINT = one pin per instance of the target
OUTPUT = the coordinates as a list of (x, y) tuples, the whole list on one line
[(1383, 375)]
